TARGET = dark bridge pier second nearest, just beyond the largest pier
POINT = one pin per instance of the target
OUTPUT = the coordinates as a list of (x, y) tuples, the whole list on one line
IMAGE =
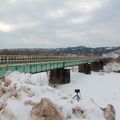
[(85, 68)]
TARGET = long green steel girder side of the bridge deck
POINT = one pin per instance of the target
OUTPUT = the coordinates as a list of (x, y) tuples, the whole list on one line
[(40, 66)]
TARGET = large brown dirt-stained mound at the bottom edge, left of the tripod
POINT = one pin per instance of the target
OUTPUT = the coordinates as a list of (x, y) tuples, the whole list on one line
[(46, 110)]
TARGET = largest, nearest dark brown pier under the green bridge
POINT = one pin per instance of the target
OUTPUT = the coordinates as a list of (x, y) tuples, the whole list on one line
[(59, 76)]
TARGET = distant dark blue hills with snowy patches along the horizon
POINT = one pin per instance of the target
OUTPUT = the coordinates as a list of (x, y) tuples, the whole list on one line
[(80, 50)]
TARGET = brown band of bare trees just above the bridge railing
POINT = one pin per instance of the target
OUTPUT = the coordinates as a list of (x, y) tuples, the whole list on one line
[(44, 53)]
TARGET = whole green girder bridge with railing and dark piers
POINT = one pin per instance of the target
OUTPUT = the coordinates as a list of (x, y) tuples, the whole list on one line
[(57, 65)]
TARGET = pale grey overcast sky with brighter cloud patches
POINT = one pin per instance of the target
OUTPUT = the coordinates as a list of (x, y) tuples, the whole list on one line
[(59, 23)]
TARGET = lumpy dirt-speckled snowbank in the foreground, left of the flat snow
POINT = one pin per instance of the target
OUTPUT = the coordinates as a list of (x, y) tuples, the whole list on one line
[(24, 95)]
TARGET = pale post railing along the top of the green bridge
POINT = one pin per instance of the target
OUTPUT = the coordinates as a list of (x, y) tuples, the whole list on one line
[(12, 59)]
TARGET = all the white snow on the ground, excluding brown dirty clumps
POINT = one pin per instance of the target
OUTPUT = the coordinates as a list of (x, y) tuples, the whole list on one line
[(100, 87)]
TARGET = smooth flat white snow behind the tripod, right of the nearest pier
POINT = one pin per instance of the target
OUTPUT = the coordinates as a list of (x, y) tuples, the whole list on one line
[(102, 87)]
